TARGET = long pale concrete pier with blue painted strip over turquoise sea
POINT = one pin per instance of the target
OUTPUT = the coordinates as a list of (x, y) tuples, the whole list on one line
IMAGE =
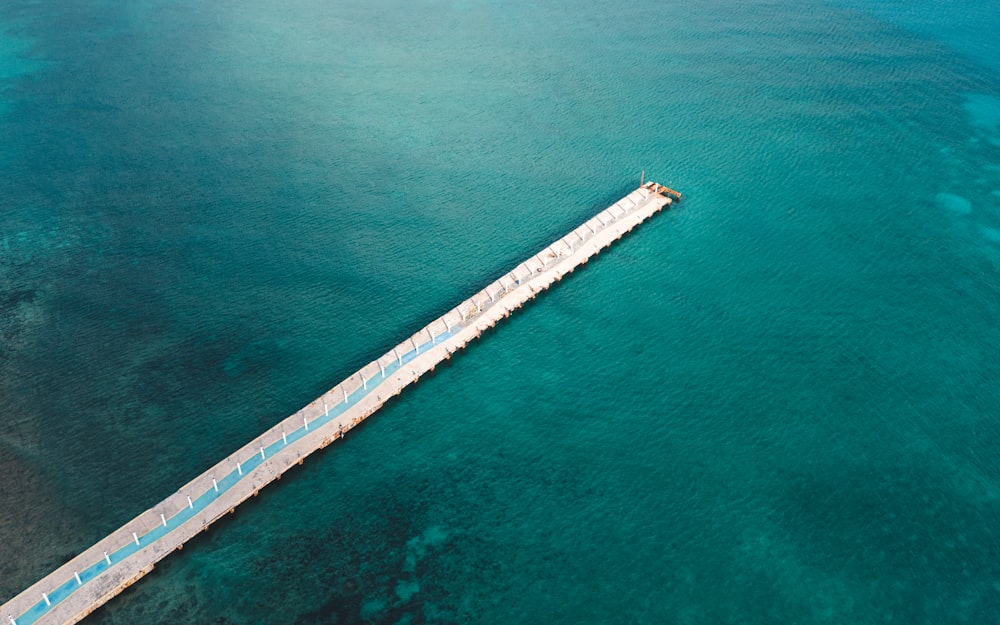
[(92, 578)]
